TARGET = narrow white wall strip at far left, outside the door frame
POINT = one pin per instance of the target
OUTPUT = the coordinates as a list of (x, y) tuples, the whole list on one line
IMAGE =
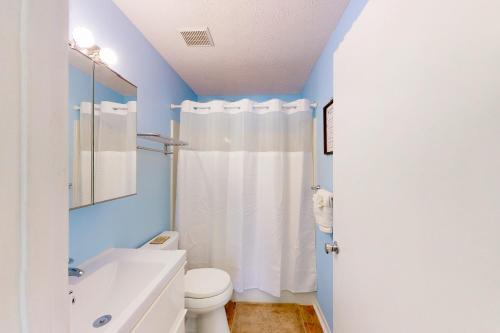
[(9, 169)]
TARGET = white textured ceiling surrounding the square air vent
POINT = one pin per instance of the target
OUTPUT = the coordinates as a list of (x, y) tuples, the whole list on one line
[(261, 46)]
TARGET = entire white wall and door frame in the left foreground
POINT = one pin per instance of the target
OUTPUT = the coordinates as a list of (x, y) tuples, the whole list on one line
[(33, 197)]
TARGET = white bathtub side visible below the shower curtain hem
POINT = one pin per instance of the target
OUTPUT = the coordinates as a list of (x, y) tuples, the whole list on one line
[(258, 296)]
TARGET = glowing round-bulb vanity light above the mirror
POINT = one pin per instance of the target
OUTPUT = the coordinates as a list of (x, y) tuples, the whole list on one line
[(83, 41)]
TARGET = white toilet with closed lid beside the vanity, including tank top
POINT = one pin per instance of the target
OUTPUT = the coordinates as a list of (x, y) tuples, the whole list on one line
[(206, 292)]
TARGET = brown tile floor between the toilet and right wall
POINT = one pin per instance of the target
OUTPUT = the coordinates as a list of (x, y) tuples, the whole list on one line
[(272, 318)]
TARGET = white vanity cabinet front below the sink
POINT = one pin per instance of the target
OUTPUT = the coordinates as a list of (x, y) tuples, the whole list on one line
[(167, 313)]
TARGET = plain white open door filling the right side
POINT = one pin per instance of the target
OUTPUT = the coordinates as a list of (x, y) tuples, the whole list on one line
[(417, 169)]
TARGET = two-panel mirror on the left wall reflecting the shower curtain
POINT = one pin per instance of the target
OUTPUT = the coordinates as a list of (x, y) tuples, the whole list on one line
[(102, 133)]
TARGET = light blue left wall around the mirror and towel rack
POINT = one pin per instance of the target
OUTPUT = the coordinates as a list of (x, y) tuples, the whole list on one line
[(131, 221)]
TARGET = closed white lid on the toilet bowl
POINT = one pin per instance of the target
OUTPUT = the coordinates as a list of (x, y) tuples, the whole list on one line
[(206, 282)]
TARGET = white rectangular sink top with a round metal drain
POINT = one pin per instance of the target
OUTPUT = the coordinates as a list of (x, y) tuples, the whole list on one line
[(119, 286)]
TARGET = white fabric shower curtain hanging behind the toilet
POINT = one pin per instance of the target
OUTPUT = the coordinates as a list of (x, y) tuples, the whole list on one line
[(243, 192)]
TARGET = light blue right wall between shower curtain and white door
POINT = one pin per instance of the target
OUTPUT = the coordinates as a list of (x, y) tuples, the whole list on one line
[(319, 88)]
